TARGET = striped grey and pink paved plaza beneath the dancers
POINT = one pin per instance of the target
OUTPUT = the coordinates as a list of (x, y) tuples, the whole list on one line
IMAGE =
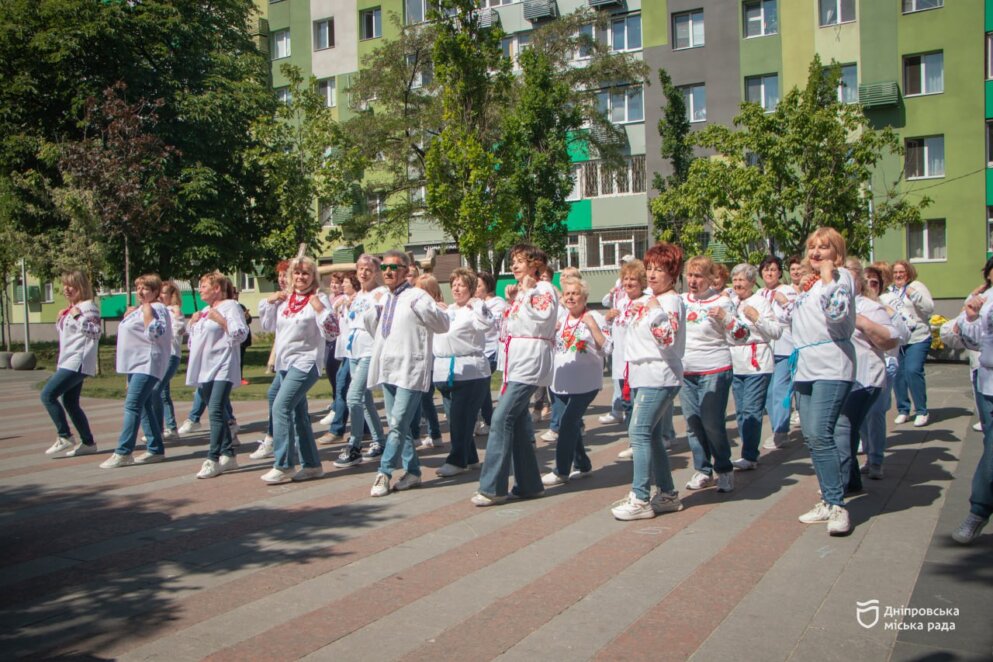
[(147, 562)]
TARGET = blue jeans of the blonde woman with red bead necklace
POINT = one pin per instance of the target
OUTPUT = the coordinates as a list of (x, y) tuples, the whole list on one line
[(291, 420)]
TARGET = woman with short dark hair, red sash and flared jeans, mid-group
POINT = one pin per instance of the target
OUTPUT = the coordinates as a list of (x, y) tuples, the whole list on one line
[(527, 335)]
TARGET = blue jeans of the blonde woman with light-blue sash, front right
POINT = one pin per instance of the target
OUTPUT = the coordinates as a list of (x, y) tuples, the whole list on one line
[(820, 404)]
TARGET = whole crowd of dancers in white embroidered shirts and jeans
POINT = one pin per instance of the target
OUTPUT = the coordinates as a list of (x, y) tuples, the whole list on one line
[(829, 345)]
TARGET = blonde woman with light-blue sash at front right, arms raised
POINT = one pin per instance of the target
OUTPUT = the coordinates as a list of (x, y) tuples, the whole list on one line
[(823, 324)]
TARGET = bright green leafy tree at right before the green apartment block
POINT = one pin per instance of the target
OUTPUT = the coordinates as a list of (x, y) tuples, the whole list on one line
[(777, 176)]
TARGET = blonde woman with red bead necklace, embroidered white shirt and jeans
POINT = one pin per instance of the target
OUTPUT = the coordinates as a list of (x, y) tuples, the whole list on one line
[(302, 326)]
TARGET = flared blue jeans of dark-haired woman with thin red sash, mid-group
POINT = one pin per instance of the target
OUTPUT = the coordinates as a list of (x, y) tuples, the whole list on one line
[(509, 440)]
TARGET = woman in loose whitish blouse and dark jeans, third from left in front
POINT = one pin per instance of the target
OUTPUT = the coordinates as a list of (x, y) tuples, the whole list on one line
[(214, 366)]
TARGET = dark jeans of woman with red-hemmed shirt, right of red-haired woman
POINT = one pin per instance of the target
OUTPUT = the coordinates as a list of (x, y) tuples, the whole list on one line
[(705, 402)]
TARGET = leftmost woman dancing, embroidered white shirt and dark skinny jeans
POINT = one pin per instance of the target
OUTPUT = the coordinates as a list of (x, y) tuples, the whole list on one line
[(78, 327)]
